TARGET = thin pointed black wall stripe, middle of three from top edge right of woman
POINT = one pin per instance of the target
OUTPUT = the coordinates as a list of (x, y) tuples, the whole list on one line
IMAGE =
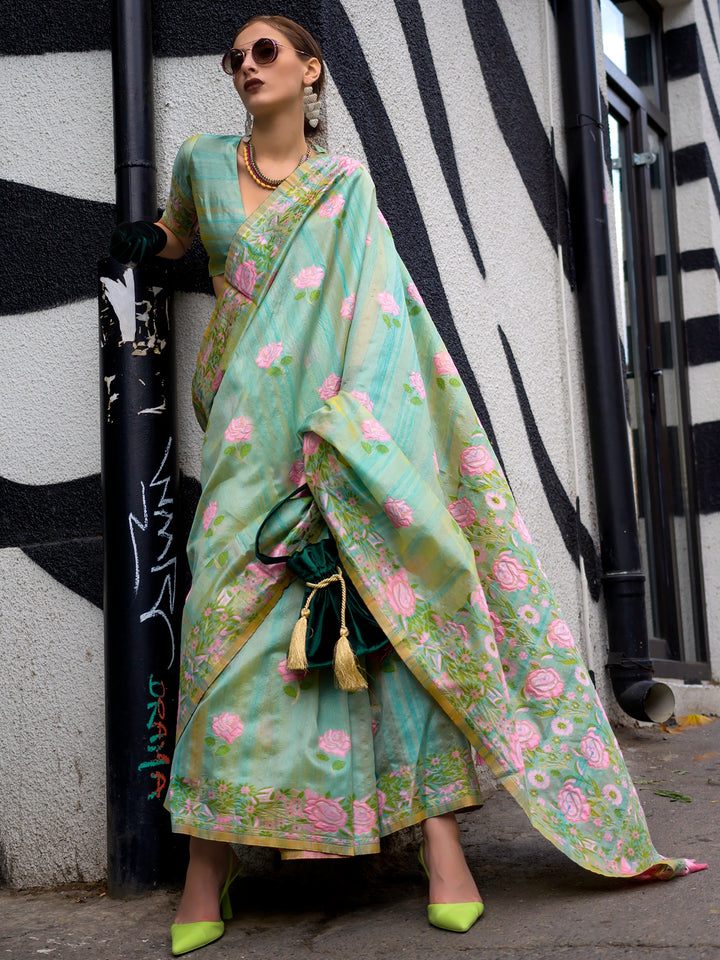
[(428, 85)]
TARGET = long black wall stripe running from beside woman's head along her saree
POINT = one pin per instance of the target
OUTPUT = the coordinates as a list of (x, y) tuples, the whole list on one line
[(396, 195)]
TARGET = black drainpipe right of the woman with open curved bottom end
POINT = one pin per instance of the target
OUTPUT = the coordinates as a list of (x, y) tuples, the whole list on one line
[(629, 665)]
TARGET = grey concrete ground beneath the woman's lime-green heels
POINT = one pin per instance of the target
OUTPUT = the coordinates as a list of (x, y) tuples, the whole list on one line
[(538, 904)]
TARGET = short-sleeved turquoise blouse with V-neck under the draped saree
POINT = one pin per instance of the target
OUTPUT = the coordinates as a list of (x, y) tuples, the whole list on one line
[(205, 194)]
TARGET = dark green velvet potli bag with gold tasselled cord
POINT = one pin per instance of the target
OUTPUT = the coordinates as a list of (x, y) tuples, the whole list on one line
[(335, 626)]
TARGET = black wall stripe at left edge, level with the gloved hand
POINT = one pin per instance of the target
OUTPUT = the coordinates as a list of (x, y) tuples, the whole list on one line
[(50, 247)]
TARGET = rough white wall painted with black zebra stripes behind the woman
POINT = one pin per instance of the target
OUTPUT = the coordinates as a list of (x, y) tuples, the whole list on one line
[(456, 110)]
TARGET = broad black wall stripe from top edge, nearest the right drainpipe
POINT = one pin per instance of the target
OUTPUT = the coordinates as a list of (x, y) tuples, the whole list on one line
[(520, 123)]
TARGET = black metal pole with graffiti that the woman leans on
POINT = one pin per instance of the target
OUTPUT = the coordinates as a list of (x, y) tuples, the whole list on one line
[(140, 494)]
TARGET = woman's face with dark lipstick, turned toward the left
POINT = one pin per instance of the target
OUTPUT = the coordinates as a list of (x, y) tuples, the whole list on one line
[(277, 85)]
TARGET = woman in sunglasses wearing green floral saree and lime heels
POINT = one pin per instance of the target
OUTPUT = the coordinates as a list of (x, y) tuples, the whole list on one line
[(321, 365)]
